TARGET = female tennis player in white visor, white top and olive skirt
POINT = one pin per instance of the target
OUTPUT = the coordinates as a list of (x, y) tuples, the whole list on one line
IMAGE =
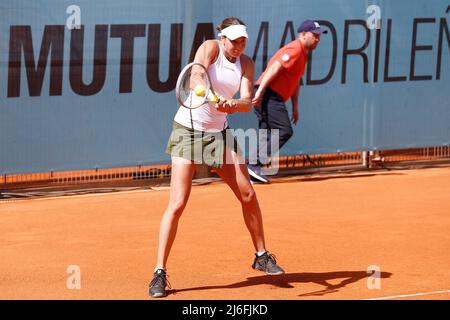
[(229, 71)]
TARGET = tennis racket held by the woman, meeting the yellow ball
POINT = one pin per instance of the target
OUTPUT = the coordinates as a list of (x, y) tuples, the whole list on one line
[(194, 87)]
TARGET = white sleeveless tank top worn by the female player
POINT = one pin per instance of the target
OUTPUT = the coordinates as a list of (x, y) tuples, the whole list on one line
[(225, 79)]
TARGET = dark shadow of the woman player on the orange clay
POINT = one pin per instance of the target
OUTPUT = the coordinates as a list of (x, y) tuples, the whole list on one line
[(331, 281)]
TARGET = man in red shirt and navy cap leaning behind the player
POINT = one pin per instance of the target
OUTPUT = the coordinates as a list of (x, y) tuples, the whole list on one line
[(279, 82)]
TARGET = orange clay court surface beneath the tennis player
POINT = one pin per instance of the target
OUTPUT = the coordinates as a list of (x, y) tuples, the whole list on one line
[(325, 229)]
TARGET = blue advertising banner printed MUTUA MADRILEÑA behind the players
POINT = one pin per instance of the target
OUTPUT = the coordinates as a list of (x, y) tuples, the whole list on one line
[(91, 84)]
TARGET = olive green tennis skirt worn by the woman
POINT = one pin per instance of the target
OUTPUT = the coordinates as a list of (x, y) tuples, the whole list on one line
[(200, 147)]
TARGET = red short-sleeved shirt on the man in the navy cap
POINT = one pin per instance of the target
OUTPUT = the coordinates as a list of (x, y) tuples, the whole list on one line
[(293, 57)]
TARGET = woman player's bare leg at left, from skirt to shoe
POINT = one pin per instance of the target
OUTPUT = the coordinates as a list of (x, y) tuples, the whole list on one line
[(180, 188)]
